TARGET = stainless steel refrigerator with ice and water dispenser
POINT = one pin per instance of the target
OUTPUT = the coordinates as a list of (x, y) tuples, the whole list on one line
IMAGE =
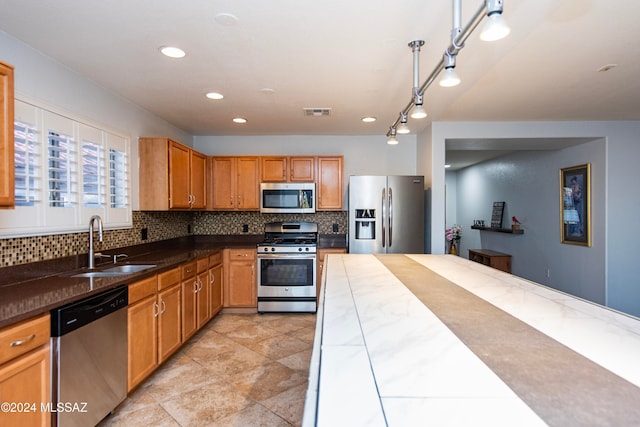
[(386, 214)]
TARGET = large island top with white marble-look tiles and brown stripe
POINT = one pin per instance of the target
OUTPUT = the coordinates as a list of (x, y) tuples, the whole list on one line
[(407, 340)]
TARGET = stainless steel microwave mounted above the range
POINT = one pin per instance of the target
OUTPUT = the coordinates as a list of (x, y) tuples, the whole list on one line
[(287, 197)]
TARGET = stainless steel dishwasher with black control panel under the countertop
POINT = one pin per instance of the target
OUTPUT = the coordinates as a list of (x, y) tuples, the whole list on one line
[(89, 358)]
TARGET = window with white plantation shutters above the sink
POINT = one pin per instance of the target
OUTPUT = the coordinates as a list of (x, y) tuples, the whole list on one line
[(66, 170)]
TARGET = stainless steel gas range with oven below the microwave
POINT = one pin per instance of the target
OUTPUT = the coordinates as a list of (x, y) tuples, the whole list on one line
[(287, 267)]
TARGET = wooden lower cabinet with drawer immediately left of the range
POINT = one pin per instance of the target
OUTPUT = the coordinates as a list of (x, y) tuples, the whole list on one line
[(240, 285)]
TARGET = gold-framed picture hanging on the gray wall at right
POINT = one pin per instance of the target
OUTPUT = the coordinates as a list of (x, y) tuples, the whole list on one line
[(575, 205)]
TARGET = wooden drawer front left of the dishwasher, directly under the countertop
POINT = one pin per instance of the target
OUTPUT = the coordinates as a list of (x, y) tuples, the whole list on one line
[(22, 337)]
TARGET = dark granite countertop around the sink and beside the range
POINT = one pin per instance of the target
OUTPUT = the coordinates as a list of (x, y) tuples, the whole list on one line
[(35, 288)]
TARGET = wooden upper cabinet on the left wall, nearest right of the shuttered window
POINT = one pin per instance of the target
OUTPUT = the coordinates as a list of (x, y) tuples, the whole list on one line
[(172, 175)]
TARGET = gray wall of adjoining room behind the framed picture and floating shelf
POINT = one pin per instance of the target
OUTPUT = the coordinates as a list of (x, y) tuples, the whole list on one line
[(529, 184)]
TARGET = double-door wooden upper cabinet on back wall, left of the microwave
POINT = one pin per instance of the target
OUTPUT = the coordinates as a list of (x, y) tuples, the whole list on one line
[(235, 183)]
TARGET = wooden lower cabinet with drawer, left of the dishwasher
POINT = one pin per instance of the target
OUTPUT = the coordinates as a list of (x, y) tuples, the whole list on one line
[(25, 374)]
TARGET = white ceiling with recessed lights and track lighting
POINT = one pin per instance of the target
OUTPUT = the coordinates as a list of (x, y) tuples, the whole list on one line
[(278, 57)]
